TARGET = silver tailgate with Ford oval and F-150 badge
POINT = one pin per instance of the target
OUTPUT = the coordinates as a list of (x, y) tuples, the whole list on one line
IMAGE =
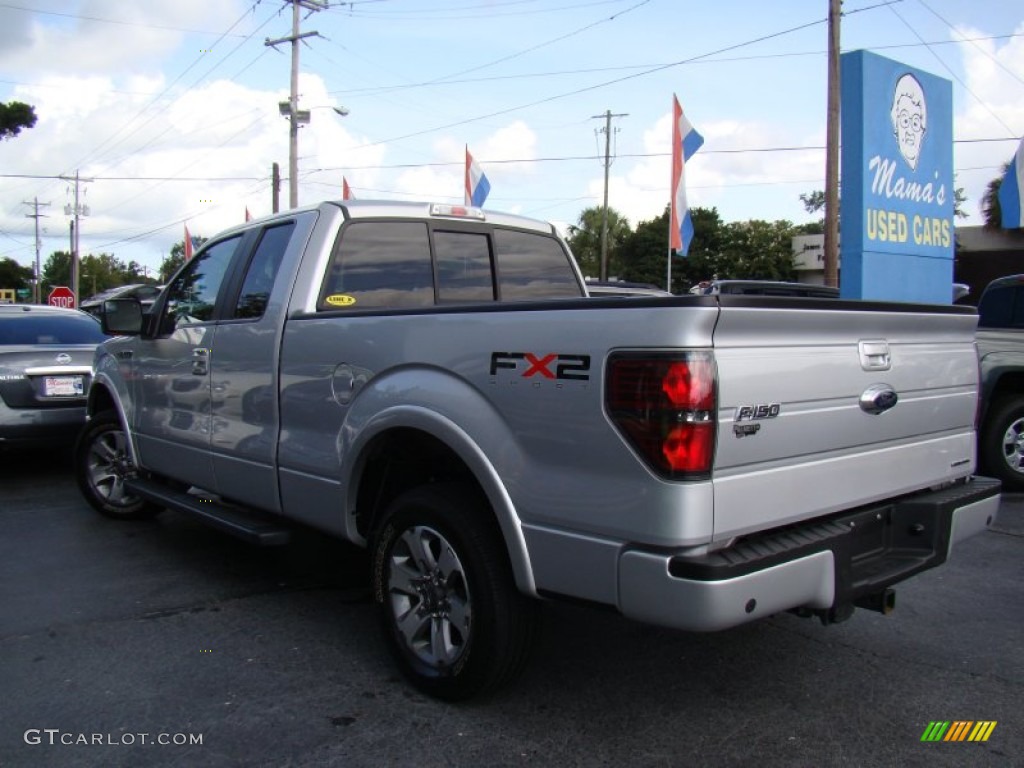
[(825, 406)]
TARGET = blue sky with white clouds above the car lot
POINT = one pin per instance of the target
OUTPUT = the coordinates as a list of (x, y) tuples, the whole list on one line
[(170, 110)]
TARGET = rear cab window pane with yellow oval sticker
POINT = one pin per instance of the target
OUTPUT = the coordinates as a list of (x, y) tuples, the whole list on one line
[(380, 265)]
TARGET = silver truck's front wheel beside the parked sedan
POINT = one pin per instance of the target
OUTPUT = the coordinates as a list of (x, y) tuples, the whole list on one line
[(102, 465)]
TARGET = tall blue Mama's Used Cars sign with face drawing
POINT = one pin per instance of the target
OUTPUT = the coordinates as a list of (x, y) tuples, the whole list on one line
[(898, 189)]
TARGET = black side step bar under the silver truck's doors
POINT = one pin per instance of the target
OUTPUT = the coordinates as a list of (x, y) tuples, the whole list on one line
[(250, 527)]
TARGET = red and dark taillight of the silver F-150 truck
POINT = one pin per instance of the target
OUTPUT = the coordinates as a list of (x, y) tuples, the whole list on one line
[(664, 406)]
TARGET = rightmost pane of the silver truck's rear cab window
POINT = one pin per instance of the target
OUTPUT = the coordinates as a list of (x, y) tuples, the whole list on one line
[(533, 267)]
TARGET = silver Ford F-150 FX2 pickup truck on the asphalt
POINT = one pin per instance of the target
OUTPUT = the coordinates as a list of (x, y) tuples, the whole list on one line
[(434, 383)]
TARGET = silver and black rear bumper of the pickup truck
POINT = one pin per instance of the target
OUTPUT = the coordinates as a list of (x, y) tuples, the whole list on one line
[(824, 566)]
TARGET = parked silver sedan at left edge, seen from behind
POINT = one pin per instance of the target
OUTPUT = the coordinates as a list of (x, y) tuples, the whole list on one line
[(46, 367)]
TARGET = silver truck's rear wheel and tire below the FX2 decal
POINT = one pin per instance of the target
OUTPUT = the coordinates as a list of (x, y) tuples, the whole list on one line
[(452, 615)]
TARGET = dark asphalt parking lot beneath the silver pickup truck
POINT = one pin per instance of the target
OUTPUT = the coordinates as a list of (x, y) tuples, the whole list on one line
[(166, 644)]
